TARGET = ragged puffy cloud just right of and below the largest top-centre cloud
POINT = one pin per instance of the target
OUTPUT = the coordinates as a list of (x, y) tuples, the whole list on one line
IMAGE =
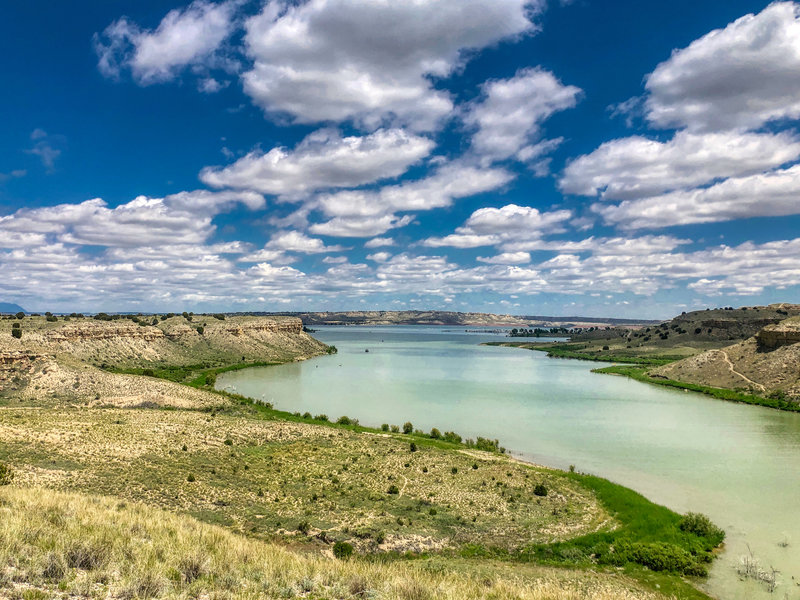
[(507, 119)]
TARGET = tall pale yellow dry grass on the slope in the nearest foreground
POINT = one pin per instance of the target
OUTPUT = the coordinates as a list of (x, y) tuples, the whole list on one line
[(57, 545)]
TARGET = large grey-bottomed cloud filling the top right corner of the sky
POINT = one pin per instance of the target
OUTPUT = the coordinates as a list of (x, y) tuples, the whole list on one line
[(739, 77)]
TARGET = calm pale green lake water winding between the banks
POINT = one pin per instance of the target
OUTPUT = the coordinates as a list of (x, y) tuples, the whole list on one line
[(738, 464)]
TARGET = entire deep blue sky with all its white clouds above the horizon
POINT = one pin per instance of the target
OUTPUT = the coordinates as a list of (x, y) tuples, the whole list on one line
[(532, 157)]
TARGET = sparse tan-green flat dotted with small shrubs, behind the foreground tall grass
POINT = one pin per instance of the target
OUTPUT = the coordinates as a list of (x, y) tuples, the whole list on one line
[(275, 474)]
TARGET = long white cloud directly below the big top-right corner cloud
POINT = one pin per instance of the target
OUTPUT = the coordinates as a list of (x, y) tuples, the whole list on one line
[(636, 167)]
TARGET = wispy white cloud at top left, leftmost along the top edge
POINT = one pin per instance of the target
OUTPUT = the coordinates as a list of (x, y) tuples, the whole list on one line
[(187, 36)]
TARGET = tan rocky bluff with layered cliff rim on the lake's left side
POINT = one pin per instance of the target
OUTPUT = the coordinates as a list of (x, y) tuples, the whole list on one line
[(175, 341)]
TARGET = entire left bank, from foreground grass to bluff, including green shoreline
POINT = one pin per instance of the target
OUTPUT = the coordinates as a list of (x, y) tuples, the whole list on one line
[(214, 473)]
